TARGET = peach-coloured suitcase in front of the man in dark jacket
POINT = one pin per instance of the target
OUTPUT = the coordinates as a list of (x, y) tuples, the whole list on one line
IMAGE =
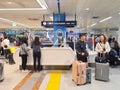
[(79, 72)]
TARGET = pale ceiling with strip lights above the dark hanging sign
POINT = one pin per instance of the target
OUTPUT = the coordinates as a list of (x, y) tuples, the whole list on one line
[(29, 13)]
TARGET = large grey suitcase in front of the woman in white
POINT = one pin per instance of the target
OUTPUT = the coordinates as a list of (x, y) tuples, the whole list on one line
[(102, 71)]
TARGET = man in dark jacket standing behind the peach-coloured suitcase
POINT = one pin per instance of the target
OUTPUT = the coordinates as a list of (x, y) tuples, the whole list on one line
[(81, 49)]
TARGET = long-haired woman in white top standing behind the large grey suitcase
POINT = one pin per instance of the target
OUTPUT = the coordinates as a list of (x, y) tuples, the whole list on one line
[(103, 47)]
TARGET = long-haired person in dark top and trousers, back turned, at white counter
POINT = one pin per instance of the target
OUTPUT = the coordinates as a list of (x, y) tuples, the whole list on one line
[(36, 53)]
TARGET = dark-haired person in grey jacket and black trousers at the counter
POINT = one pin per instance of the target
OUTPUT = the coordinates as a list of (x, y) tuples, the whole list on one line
[(23, 53)]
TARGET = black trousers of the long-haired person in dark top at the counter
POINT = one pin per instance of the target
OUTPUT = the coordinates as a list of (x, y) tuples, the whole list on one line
[(37, 57)]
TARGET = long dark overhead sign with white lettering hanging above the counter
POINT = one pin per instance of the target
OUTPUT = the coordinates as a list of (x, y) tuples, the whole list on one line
[(50, 24)]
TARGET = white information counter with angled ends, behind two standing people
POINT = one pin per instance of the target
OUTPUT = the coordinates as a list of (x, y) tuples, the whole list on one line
[(50, 56)]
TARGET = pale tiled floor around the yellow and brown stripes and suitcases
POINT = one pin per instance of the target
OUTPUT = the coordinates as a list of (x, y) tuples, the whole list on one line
[(13, 76)]
